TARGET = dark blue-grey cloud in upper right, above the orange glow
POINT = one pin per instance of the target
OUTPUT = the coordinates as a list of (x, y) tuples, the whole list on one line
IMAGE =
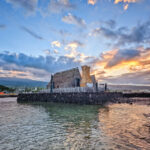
[(121, 36)]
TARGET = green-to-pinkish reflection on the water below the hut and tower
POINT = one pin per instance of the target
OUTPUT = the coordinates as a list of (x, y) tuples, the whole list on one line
[(80, 125)]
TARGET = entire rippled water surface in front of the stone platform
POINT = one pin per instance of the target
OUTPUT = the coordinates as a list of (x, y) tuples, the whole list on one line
[(73, 127)]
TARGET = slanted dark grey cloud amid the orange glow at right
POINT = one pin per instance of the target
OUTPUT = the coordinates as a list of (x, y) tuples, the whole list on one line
[(123, 55)]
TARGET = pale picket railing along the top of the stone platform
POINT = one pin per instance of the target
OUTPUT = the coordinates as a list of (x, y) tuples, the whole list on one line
[(73, 90)]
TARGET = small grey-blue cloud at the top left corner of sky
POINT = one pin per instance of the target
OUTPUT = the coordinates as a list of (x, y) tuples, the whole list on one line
[(28, 5)]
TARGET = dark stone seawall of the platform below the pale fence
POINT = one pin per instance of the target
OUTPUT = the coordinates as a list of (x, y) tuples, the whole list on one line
[(76, 98)]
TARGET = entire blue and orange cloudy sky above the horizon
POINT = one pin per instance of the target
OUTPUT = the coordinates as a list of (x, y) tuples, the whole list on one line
[(41, 37)]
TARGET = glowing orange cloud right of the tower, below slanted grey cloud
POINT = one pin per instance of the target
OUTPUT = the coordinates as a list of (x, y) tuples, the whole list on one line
[(140, 62)]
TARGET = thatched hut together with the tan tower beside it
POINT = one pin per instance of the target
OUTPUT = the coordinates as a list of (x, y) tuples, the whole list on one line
[(72, 78)]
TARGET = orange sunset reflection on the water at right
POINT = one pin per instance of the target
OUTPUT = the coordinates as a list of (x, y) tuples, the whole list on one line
[(128, 126)]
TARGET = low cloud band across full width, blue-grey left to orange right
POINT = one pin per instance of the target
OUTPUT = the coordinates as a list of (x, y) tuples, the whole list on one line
[(114, 66)]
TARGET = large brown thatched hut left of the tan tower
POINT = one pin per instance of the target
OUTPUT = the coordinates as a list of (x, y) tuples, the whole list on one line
[(65, 79)]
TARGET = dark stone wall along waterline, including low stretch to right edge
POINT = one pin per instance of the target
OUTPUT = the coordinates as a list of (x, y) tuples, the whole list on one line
[(97, 98)]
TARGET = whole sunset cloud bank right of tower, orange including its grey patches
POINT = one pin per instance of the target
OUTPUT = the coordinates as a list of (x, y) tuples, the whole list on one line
[(123, 66)]
